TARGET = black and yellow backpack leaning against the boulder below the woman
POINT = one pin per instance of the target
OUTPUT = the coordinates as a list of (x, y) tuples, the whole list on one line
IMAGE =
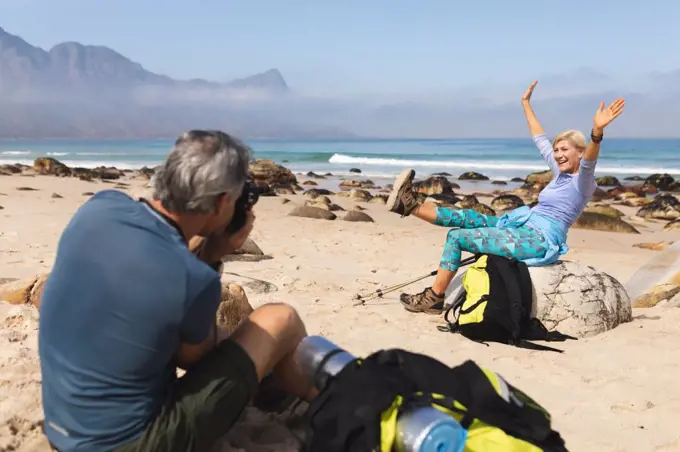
[(495, 305)]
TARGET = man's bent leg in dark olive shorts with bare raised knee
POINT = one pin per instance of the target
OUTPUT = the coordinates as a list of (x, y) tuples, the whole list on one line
[(210, 397)]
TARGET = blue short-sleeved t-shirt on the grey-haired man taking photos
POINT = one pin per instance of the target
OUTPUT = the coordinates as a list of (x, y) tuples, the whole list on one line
[(123, 293)]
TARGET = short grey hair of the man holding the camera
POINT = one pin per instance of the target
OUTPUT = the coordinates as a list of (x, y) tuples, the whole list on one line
[(202, 165)]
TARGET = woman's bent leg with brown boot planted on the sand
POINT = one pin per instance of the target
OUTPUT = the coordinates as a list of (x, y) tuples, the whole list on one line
[(519, 243)]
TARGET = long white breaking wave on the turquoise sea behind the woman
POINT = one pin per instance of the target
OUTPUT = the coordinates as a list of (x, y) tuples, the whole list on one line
[(343, 159)]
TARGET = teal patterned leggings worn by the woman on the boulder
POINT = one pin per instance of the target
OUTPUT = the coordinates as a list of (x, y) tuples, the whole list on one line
[(478, 233)]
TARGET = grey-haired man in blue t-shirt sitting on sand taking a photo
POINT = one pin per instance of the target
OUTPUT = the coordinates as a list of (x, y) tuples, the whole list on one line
[(127, 303)]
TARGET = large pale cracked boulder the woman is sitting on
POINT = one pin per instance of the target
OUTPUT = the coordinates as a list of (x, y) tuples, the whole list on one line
[(578, 300)]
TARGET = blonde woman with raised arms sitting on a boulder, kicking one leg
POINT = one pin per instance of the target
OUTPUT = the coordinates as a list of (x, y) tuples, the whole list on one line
[(536, 236)]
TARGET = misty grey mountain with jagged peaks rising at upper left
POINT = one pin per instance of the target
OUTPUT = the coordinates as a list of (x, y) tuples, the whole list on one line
[(74, 90)]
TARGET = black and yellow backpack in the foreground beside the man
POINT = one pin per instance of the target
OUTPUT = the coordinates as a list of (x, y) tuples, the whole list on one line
[(359, 408)]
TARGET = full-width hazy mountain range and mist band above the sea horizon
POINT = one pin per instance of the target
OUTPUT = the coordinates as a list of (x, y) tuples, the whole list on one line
[(74, 90)]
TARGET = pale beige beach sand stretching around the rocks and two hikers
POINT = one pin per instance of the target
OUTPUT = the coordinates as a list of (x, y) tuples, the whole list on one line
[(616, 392)]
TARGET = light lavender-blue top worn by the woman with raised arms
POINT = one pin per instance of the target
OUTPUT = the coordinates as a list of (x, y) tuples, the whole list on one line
[(567, 195)]
